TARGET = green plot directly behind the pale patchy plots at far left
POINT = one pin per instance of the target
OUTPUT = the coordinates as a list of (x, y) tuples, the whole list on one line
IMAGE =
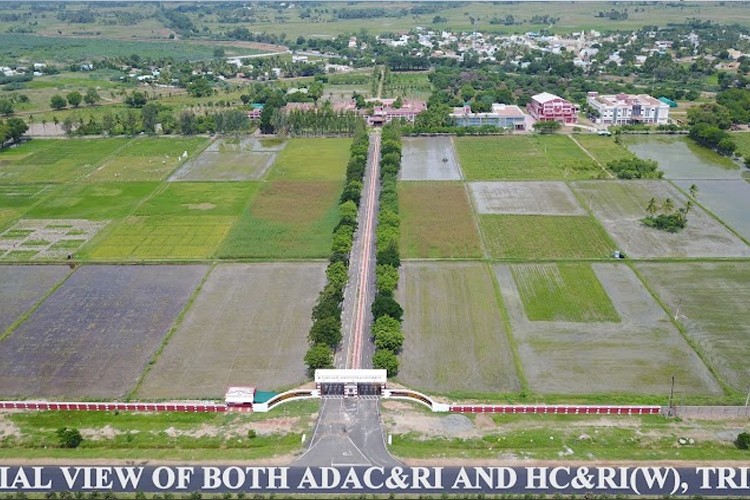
[(93, 201)]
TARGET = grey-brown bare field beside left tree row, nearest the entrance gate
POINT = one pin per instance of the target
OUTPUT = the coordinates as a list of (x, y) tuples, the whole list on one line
[(247, 326)]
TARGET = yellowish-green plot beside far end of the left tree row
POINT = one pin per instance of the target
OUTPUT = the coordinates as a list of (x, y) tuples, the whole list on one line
[(312, 159)]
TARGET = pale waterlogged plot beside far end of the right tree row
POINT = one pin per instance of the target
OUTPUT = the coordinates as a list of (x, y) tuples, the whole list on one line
[(429, 159)]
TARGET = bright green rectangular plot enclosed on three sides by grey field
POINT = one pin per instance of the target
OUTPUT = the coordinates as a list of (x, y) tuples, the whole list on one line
[(562, 292)]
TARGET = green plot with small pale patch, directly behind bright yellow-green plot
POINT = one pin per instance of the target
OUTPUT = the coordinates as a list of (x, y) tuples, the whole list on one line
[(199, 198)]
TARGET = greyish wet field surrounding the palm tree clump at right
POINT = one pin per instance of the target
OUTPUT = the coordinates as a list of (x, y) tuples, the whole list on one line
[(620, 206)]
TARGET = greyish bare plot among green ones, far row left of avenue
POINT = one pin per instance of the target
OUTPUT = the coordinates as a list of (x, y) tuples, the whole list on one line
[(229, 160)]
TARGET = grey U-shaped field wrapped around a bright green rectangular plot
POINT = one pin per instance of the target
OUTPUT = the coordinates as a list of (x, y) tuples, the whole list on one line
[(637, 355)]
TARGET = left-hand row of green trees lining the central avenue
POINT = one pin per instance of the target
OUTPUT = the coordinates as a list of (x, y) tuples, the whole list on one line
[(325, 333)]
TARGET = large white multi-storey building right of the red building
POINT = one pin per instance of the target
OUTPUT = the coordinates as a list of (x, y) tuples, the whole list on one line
[(624, 109)]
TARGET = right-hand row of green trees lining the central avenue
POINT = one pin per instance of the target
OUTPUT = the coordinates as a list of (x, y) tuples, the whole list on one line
[(386, 311)]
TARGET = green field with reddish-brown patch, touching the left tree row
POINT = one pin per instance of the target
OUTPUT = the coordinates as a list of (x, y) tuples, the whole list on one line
[(286, 220)]
